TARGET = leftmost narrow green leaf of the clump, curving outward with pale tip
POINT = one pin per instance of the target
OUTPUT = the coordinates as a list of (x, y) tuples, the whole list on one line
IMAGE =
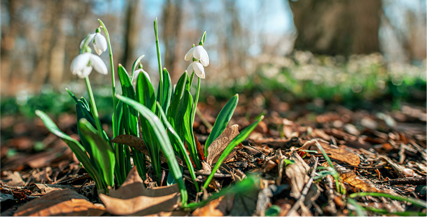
[(75, 146)]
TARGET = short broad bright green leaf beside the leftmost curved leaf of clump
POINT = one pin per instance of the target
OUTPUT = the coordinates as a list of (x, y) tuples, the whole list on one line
[(101, 149)]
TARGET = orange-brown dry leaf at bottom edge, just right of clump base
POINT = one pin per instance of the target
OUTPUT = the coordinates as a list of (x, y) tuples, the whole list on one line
[(217, 207)]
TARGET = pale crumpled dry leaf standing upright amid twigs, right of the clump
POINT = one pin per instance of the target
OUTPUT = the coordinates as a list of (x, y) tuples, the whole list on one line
[(297, 173)]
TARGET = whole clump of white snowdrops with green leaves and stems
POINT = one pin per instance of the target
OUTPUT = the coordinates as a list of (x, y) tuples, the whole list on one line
[(163, 118)]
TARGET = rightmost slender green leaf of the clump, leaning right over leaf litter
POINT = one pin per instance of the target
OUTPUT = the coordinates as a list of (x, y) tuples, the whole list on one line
[(237, 140)]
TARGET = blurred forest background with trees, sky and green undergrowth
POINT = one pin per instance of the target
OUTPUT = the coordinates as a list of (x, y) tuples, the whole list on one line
[(331, 49)]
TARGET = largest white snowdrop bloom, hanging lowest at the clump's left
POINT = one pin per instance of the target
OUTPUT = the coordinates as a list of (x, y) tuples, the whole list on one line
[(83, 64)]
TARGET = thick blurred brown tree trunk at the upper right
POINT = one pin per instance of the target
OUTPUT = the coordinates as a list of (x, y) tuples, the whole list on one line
[(334, 27)]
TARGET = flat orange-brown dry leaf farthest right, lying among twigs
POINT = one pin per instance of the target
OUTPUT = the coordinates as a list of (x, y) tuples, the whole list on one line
[(334, 153)]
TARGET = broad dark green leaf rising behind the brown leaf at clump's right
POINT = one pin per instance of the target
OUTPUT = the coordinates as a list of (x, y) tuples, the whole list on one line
[(221, 121)]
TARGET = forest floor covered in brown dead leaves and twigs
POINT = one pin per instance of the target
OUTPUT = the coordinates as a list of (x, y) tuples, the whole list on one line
[(377, 151)]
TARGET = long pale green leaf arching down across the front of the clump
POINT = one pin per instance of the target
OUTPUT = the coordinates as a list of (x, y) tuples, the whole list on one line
[(162, 138)]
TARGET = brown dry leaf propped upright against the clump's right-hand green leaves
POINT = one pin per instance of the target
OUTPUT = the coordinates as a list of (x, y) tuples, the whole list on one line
[(219, 144)]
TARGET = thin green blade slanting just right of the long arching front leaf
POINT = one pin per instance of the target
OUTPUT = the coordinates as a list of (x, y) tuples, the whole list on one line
[(174, 137)]
